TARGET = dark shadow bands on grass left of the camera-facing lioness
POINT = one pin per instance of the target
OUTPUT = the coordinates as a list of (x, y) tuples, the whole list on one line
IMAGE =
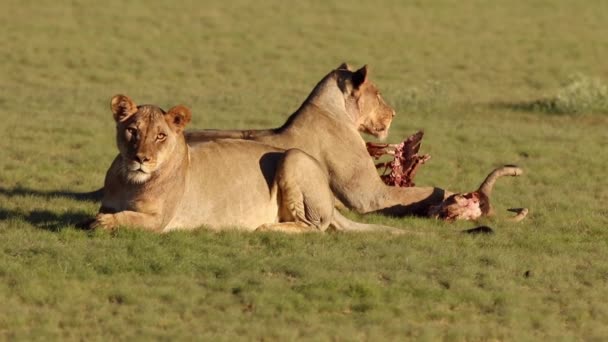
[(46, 219)]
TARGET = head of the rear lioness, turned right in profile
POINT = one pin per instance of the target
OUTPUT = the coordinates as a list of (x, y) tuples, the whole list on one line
[(364, 102)]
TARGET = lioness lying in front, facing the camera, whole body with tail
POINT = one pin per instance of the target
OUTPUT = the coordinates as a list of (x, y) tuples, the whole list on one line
[(159, 183)]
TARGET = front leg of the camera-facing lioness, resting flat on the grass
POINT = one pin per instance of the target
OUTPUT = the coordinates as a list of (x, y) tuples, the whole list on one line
[(127, 218)]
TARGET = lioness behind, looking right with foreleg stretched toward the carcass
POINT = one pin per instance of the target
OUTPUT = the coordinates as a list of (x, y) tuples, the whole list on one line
[(327, 126)]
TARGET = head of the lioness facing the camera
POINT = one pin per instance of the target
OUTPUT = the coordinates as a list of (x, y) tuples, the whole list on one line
[(146, 136)]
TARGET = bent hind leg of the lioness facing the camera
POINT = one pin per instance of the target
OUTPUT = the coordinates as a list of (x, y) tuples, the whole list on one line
[(305, 198)]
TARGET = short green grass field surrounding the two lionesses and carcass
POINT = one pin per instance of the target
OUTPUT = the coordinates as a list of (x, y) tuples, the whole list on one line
[(490, 82)]
